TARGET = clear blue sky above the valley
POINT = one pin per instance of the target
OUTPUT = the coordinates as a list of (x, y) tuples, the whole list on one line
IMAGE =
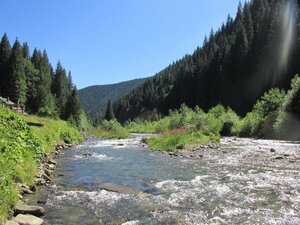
[(108, 41)]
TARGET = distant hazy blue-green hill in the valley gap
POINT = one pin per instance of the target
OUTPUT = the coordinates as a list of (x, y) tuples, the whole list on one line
[(94, 99)]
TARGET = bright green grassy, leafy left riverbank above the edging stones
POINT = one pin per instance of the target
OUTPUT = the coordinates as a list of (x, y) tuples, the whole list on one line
[(21, 148)]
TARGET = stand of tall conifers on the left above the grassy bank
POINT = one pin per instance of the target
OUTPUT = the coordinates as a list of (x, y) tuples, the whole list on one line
[(30, 81)]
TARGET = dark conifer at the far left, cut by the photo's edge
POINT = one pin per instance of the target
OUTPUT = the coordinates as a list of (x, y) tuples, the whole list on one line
[(5, 51)]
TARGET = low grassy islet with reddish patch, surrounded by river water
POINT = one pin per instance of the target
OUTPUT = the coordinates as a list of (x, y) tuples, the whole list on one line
[(171, 142)]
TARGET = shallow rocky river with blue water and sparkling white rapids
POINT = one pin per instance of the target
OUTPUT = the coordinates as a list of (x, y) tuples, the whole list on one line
[(245, 181)]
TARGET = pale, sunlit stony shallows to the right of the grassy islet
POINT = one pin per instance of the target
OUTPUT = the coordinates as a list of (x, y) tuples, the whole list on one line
[(251, 152)]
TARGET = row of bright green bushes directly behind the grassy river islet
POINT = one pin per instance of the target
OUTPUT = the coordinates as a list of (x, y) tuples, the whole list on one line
[(217, 120)]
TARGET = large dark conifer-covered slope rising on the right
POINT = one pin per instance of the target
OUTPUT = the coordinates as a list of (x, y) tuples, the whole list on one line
[(244, 58)]
